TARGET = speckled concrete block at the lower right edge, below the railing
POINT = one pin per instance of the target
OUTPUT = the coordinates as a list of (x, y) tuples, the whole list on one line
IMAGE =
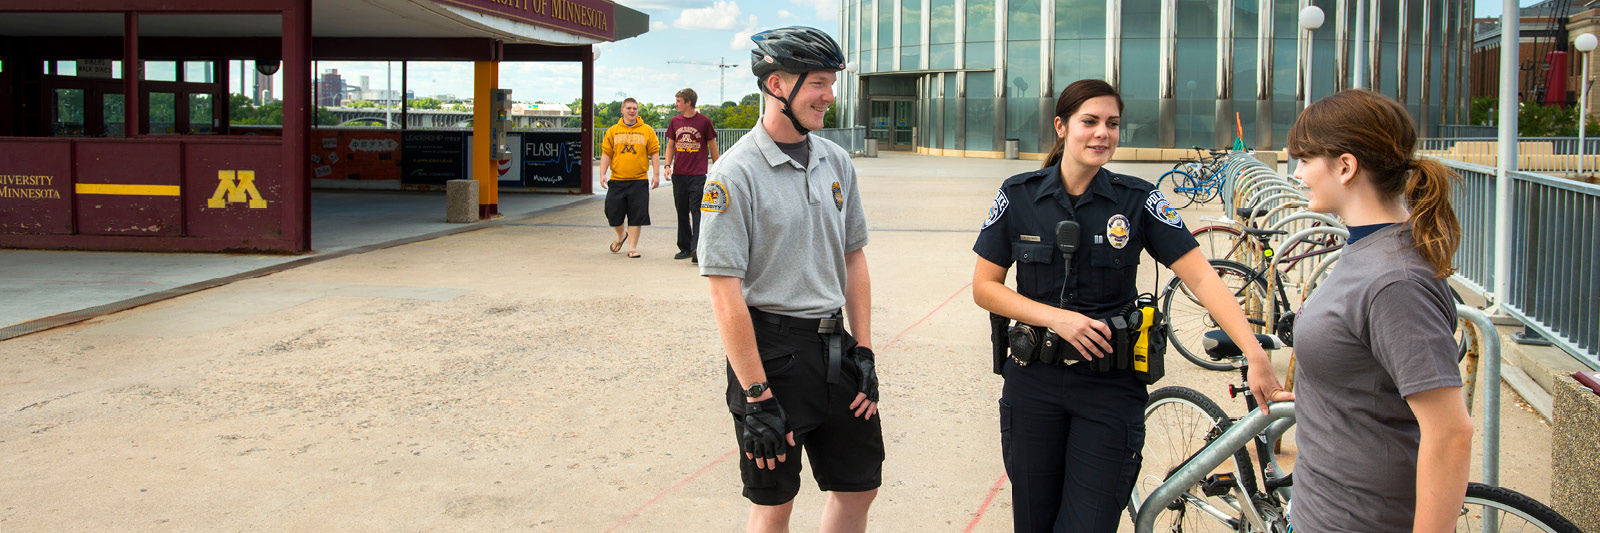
[(1575, 451)]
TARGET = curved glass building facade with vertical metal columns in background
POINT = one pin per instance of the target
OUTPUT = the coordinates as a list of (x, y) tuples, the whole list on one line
[(961, 78)]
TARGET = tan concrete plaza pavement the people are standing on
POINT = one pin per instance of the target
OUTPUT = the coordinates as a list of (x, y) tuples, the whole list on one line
[(516, 379)]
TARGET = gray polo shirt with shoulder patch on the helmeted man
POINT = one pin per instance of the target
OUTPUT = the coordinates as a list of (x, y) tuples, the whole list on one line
[(780, 226)]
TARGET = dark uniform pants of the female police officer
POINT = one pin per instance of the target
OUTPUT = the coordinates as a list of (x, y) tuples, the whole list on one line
[(1071, 441)]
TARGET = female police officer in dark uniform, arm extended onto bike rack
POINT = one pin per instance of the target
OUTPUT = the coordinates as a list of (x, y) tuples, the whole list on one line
[(1071, 422)]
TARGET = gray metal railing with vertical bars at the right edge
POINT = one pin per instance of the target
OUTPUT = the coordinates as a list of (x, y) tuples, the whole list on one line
[(1553, 286)]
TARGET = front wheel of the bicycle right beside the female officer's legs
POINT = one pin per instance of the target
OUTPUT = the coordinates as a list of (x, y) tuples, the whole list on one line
[(1178, 422)]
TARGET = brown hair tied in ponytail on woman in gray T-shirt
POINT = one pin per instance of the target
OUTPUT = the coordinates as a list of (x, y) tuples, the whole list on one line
[(1383, 138)]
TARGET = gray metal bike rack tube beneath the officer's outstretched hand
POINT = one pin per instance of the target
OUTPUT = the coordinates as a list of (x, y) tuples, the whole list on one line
[(1201, 467)]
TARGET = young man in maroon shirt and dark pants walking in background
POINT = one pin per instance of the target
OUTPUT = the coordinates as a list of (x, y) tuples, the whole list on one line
[(690, 140)]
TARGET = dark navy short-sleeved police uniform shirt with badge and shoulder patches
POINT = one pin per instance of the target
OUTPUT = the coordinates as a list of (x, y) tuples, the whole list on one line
[(1118, 218)]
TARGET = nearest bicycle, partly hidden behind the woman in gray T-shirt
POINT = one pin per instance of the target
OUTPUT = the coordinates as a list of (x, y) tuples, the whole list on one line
[(1199, 494)]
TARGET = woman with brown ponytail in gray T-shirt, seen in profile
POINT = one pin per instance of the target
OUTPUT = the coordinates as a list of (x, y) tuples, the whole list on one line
[(1383, 431)]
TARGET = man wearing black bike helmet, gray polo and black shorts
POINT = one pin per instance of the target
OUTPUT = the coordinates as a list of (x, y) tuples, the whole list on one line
[(782, 242)]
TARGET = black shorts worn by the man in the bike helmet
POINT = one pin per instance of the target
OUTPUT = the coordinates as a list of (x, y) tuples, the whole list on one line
[(846, 452)]
